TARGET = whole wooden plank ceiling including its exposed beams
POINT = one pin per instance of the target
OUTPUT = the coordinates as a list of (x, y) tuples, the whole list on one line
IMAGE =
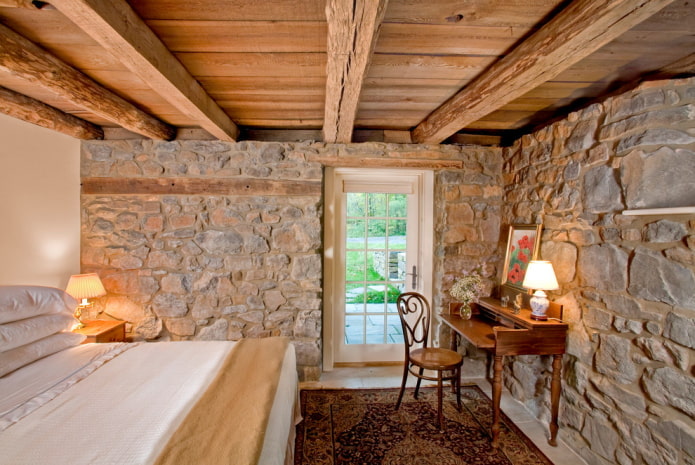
[(426, 71)]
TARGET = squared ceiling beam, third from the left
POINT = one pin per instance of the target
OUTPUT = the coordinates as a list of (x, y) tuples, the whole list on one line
[(118, 28)]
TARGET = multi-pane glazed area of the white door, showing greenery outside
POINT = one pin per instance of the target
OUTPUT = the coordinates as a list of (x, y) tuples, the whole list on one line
[(375, 267)]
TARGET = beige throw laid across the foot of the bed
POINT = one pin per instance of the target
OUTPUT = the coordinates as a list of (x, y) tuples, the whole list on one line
[(227, 425)]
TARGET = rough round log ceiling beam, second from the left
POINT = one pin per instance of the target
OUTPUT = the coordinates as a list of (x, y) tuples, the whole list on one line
[(25, 59)]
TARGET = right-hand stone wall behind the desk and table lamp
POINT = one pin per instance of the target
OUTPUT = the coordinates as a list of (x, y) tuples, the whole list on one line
[(627, 282)]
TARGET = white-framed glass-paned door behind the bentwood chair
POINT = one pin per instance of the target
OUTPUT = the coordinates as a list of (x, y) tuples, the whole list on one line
[(378, 232)]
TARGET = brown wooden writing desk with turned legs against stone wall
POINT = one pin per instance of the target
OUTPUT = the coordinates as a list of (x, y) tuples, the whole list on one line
[(501, 332)]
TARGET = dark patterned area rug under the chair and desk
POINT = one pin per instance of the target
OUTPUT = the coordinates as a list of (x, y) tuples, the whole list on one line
[(361, 426)]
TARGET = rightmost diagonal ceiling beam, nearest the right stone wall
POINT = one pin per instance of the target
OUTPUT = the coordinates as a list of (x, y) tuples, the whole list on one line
[(577, 31)]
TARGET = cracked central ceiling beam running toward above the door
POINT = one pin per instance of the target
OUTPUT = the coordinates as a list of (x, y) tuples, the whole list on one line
[(353, 28)]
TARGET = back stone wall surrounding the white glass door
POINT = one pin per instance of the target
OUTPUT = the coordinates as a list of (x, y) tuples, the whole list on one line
[(226, 266)]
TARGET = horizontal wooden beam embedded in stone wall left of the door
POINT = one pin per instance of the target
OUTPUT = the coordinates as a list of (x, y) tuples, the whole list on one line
[(199, 186)]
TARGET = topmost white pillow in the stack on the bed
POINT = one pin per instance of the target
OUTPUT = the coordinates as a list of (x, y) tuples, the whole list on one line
[(20, 302)]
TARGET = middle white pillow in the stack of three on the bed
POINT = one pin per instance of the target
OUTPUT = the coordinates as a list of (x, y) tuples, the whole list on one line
[(18, 333)]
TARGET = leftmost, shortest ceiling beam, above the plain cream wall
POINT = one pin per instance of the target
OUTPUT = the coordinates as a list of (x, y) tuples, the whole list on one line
[(32, 111)]
